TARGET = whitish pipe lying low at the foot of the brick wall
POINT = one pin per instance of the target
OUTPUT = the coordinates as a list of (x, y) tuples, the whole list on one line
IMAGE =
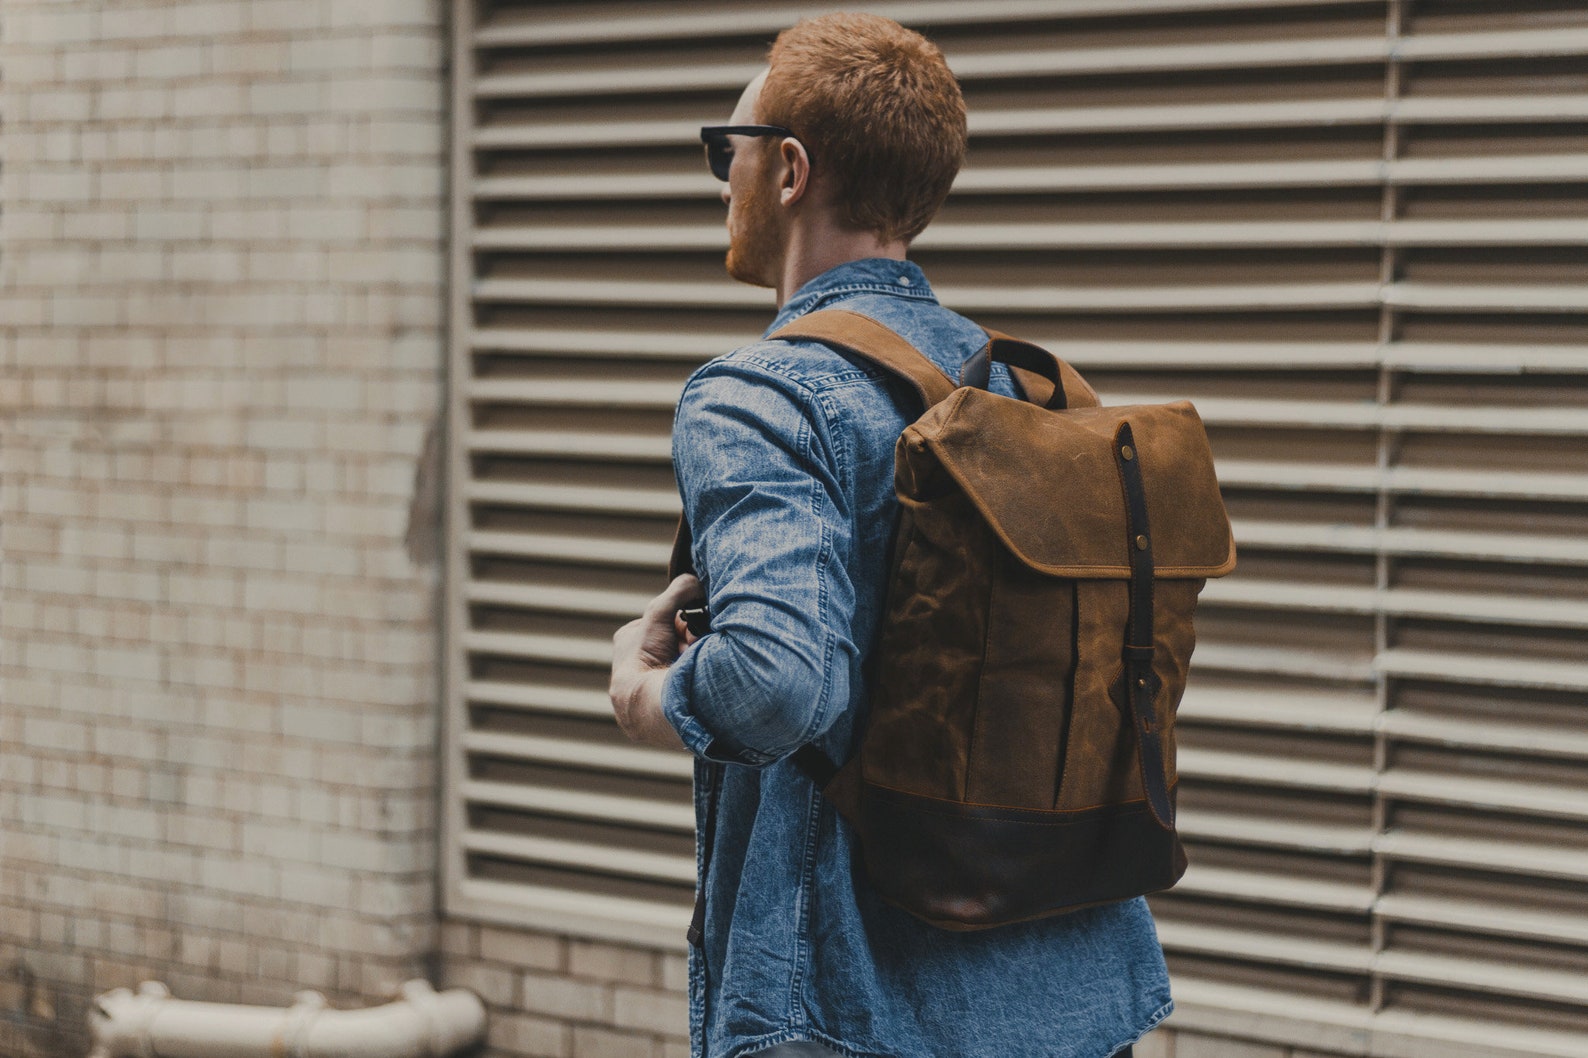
[(150, 1024)]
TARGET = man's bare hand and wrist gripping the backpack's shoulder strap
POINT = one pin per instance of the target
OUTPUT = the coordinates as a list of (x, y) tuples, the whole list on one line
[(641, 654)]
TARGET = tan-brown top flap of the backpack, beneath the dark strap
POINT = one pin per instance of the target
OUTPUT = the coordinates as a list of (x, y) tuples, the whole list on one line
[(1049, 484)]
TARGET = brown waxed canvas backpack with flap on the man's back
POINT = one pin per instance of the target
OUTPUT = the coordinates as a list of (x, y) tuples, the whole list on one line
[(1019, 757)]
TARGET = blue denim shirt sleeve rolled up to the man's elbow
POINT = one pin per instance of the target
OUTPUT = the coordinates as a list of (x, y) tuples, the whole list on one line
[(763, 493)]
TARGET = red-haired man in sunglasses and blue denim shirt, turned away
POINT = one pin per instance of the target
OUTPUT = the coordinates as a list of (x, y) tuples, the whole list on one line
[(784, 454)]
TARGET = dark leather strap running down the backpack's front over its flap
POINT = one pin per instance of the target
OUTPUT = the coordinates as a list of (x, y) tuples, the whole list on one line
[(1141, 682)]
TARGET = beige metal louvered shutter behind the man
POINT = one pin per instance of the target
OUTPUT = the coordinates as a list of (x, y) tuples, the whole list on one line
[(1352, 233)]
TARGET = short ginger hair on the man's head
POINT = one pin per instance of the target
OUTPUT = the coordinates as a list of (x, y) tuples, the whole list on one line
[(881, 114)]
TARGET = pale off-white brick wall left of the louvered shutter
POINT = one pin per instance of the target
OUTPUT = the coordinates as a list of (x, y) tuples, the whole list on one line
[(222, 292)]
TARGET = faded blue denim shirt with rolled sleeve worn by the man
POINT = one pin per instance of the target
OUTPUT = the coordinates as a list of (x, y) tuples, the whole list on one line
[(784, 454)]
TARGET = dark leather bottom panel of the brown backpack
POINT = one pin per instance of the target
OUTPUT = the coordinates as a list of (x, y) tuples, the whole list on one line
[(971, 867)]
